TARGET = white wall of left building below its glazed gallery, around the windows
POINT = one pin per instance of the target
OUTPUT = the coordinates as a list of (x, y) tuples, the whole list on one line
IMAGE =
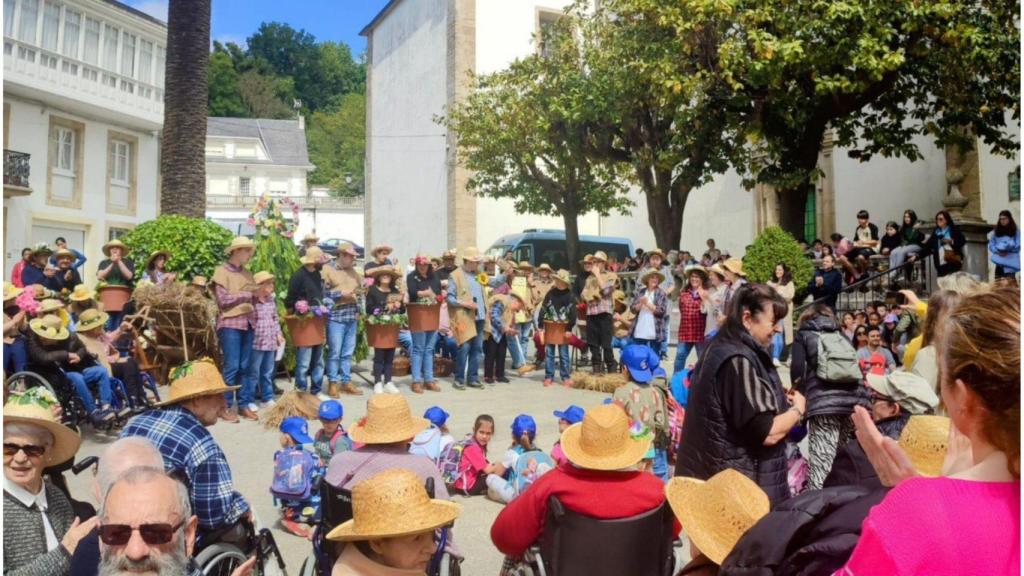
[(29, 133)]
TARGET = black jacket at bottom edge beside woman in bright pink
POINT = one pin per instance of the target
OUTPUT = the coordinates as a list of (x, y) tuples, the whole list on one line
[(810, 534)]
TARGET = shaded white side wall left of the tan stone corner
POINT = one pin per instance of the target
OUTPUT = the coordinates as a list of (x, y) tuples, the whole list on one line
[(408, 194)]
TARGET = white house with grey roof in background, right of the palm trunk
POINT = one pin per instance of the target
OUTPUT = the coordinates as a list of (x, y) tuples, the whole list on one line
[(249, 157)]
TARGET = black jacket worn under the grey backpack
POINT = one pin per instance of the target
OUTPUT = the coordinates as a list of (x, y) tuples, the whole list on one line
[(823, 398)]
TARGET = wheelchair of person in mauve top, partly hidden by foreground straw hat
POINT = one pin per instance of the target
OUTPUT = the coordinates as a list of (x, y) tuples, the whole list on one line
[(336, 509)]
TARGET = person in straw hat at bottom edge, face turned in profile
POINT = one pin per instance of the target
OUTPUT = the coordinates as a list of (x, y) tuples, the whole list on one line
[(394, 529)]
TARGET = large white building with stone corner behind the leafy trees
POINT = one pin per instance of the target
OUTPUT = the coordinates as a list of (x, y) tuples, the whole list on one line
[(419, 54)]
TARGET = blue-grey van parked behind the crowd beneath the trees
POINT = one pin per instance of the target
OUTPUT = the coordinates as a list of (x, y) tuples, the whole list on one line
[(538, 246)]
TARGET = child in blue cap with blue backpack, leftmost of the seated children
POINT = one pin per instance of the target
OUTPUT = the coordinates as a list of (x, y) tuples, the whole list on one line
[(295, 474)]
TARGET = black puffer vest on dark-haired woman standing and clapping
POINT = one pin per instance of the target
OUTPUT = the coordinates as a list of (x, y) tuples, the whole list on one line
[(710, 444)]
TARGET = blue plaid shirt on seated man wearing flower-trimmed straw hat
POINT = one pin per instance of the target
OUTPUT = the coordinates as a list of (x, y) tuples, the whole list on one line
[(188, 446)]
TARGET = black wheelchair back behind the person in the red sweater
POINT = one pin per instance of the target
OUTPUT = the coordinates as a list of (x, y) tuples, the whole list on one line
[(575, 545)]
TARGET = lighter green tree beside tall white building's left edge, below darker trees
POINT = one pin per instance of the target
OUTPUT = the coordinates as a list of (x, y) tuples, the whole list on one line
[(337, 145)]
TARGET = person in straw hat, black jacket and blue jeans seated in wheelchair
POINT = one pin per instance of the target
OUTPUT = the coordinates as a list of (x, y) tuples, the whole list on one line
[(60, 356)]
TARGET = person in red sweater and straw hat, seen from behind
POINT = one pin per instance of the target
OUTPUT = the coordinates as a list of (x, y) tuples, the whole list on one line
[(602, 481)]
